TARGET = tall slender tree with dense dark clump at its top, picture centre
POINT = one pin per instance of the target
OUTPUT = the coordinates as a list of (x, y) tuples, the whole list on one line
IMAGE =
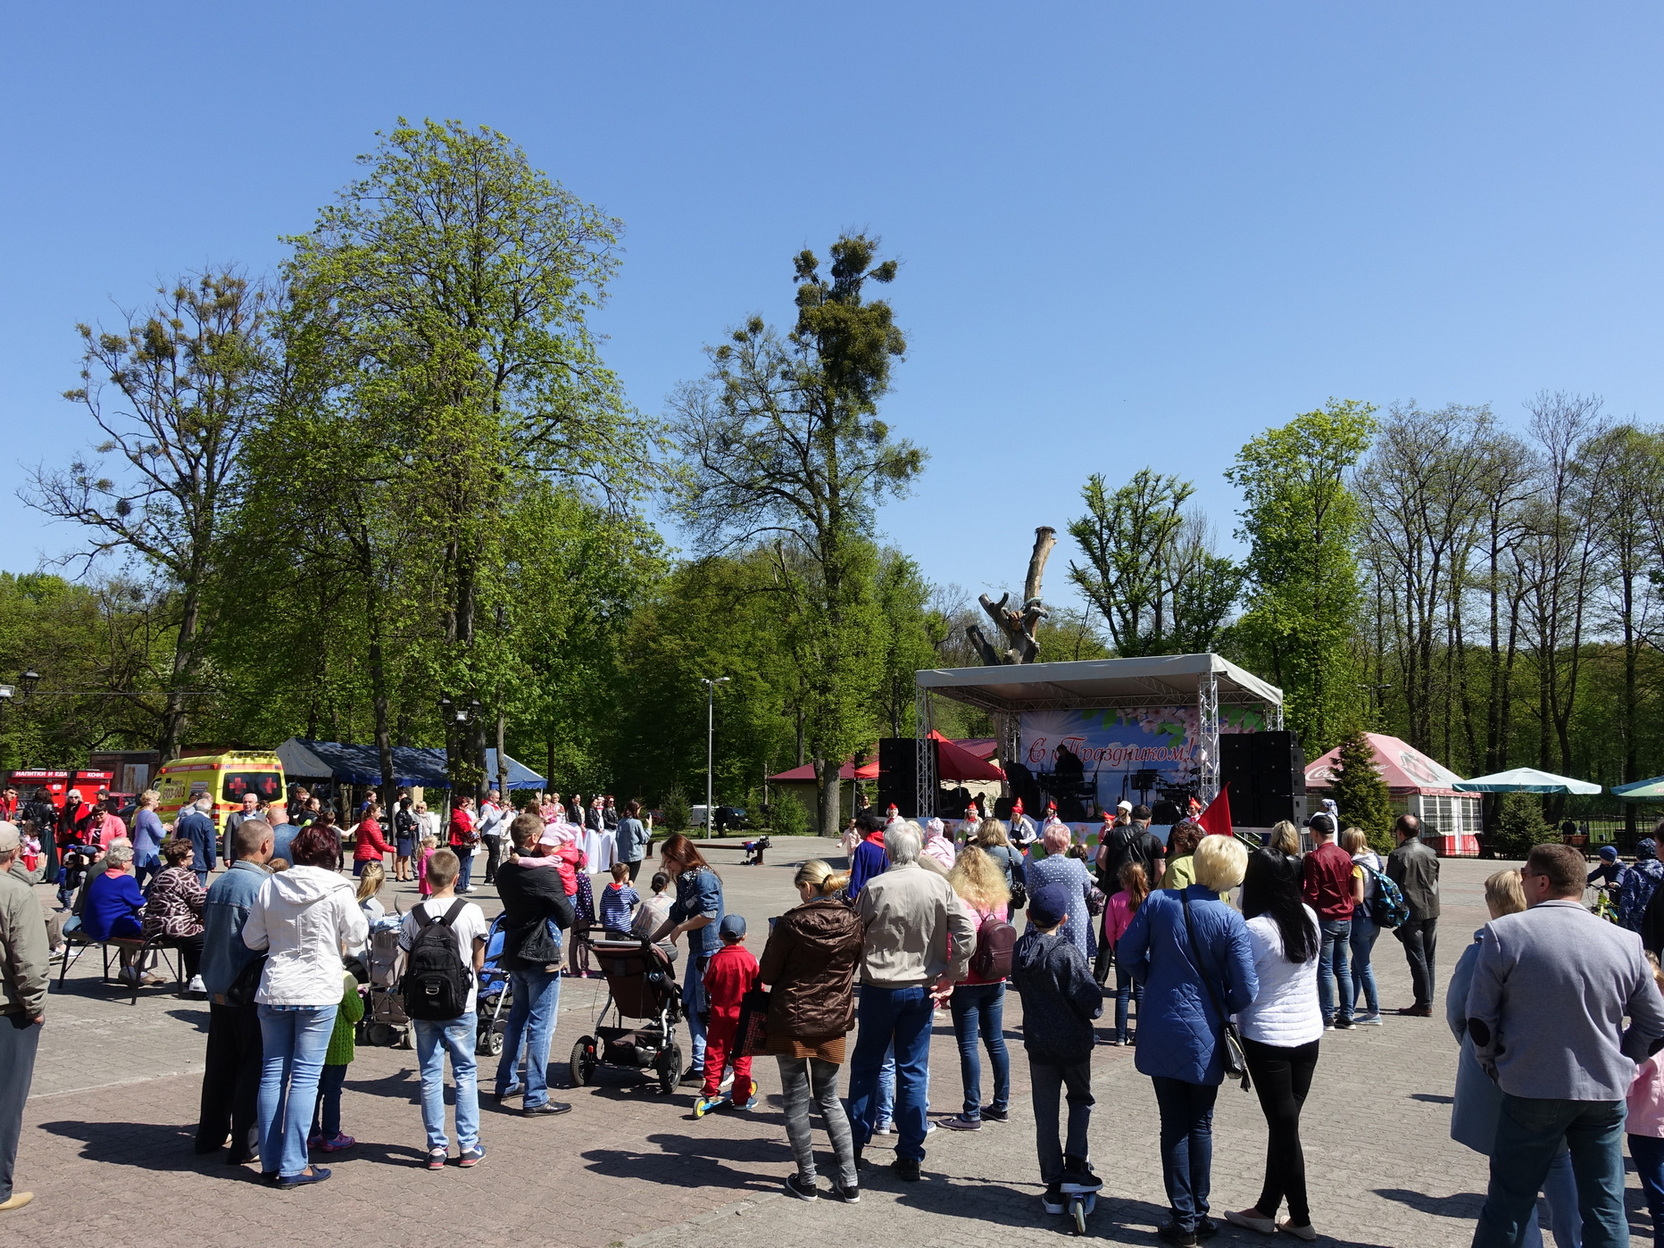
[(783, 445)]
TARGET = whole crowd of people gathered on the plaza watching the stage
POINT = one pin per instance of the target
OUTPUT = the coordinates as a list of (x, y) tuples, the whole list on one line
[(1229, 964)]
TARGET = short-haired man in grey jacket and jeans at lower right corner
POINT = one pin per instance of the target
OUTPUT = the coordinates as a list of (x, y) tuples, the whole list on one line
[(1547, 1016)]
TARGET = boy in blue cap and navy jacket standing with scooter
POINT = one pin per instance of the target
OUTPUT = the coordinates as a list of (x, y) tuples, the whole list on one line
[(1061, 999)]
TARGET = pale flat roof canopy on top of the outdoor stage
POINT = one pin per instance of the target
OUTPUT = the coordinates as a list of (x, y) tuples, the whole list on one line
[(1161, 680)]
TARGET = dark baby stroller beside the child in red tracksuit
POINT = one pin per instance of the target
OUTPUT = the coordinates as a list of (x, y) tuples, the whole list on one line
[(641, 984)]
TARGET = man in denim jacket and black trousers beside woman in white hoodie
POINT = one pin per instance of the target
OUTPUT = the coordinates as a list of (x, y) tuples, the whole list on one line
[(232, 1069)]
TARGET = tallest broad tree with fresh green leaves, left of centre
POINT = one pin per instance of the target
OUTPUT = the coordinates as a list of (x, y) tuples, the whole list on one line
[(443, 304)]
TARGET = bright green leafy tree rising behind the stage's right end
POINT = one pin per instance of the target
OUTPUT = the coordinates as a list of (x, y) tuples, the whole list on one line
[(1304, 523)]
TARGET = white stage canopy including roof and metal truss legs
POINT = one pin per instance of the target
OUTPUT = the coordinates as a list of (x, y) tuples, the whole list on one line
[(1089, 685)]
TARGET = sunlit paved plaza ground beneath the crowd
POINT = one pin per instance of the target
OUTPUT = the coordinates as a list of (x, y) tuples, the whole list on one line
[(107, 1144)]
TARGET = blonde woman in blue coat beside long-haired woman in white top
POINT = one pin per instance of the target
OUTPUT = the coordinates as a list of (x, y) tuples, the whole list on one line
[(1181, 1028)]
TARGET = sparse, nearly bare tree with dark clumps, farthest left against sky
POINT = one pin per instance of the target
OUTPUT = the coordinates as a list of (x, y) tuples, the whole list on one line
[(176, 392)]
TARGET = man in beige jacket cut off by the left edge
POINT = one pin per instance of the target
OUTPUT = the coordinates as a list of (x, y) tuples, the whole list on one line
[(22, 1008)]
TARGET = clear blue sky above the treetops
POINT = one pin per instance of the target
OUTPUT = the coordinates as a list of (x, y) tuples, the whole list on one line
[(1129, 234)]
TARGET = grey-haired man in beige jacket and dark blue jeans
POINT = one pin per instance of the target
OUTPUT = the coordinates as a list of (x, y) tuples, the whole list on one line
[(918, 943)]
